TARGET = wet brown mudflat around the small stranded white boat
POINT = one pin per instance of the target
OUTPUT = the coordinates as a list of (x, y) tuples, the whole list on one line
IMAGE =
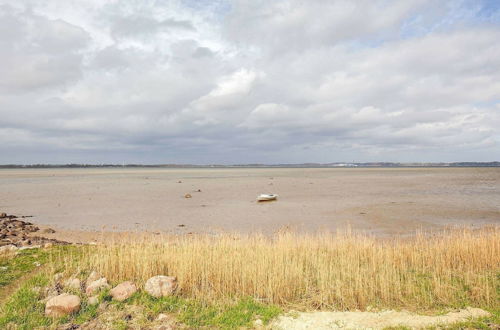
[(382, 201)]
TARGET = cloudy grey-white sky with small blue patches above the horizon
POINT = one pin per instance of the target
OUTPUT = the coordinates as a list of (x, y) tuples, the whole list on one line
[(236, 82)]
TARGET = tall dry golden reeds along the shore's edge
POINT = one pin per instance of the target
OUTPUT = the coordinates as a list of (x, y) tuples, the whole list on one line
[(327, 270)]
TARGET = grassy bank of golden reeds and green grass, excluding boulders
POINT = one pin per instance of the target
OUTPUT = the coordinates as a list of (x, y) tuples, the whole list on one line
[(229, 281)]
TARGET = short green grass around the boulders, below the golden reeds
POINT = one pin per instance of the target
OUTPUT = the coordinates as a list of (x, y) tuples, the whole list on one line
[(25, 310)]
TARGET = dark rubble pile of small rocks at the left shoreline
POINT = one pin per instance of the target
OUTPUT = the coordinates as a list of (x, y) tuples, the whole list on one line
[(19, 233)]
